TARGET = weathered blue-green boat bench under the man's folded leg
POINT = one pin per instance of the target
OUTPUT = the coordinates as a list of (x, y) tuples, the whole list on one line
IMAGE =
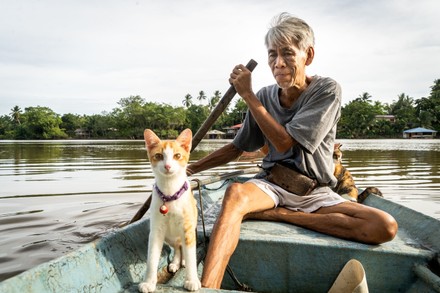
[(276, 257)]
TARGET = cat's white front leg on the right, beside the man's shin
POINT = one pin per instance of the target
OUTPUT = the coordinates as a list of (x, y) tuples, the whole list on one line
[(192, 282)]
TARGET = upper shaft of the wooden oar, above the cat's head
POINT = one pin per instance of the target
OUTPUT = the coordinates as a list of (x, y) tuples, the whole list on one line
[(218, 110)]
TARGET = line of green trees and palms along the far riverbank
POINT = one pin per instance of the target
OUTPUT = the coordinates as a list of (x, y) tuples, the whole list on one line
[(359, 118)]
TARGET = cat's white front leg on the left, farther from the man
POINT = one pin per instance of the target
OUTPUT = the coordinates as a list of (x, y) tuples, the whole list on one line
[(155, 244)]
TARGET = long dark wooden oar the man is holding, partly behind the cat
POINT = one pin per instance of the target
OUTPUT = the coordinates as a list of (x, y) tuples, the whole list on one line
[(218, 110)]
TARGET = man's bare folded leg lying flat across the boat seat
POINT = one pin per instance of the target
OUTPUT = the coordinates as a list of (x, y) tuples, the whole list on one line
[(347, 220)]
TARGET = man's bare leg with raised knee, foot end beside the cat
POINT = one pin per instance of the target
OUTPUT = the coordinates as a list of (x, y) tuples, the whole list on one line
[(239, 200)]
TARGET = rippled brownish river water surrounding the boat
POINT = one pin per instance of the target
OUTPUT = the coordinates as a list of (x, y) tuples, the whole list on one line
[(58, 195)]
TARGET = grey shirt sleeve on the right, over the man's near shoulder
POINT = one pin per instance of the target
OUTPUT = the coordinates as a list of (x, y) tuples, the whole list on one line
[(317, 116)]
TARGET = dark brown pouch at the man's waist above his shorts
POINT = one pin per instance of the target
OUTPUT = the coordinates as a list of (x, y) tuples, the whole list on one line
[(291, 180)]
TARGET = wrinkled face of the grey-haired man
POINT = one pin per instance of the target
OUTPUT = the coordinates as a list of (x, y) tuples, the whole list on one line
[(288, 64)]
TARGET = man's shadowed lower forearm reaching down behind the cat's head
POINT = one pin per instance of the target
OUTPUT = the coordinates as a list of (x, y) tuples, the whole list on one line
[(220, 157)]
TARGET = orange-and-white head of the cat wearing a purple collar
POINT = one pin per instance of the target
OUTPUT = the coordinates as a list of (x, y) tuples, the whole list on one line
[(168, 157)]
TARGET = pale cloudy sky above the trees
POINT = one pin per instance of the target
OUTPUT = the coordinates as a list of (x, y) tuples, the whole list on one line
[(82, 57)]
